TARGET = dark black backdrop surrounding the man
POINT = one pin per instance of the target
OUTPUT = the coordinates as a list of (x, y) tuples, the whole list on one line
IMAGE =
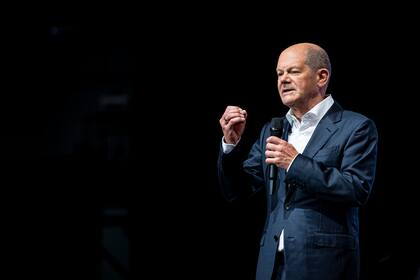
[(181, 65)]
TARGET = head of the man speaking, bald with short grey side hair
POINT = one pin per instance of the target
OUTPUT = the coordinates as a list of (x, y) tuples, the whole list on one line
[(303, 72)]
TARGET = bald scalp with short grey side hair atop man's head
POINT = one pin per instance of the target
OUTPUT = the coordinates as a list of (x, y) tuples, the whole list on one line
[(315, 56)]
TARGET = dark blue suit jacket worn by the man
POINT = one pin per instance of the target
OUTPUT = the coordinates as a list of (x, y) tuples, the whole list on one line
[(316, 202)]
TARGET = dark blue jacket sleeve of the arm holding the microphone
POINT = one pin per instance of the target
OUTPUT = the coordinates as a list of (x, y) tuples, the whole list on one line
[(349, 182)]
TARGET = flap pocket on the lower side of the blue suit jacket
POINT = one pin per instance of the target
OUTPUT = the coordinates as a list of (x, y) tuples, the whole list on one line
[(334, 240)]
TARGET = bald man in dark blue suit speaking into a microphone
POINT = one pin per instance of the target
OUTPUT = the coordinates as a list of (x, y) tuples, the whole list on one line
[(326, 161)]
